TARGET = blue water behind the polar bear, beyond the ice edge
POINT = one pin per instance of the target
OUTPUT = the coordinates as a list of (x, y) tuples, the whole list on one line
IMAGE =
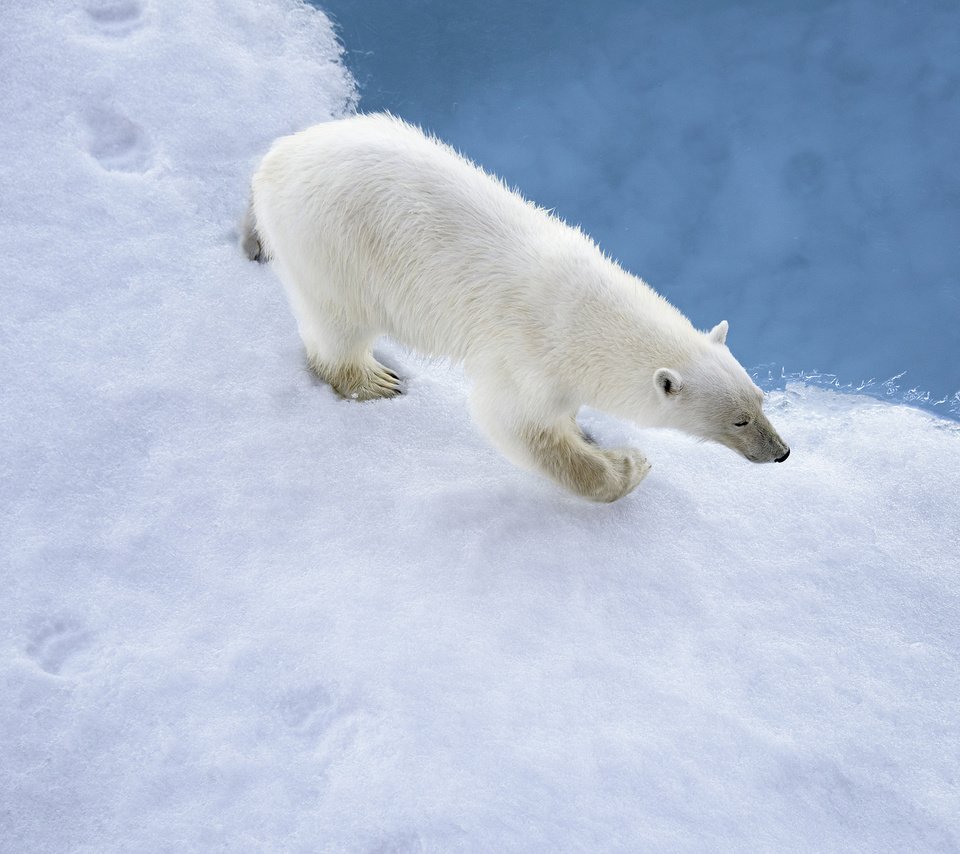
[(791, 167)]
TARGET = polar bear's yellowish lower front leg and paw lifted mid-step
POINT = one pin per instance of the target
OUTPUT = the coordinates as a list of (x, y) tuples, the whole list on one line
[(600, 474)]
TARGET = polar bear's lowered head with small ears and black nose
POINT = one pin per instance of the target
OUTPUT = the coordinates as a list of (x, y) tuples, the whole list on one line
[(713, 398)]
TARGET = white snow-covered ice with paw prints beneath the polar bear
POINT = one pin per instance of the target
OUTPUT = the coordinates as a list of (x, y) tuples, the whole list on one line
[(241, 614)]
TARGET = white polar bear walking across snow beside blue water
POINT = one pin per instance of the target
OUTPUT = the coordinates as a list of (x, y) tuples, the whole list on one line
[(375, 228)]
